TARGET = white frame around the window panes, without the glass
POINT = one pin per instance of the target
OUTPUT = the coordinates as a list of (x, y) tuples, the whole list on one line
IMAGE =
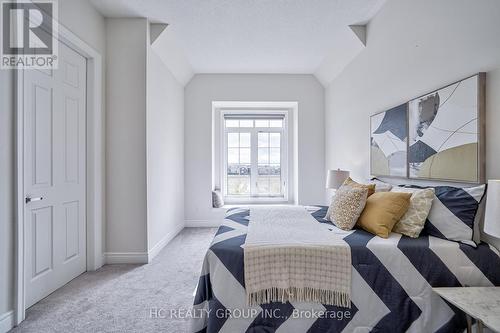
[(254, 148)]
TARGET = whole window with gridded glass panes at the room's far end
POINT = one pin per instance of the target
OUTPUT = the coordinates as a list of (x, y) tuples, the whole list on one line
[(254, 152)]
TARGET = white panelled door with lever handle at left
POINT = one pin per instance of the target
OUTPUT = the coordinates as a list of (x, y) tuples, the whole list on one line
[(54, 175)]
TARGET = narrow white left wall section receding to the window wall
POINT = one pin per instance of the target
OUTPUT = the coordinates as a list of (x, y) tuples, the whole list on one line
[(165, 153)]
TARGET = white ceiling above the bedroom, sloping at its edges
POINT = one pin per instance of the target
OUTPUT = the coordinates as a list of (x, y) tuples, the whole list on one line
[(252, 36)]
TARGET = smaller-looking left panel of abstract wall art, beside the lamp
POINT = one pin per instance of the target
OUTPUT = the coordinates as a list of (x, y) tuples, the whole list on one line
[(389, 140)]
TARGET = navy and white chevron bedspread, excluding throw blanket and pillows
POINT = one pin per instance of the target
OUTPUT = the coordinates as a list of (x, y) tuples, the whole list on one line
[(391, 284)]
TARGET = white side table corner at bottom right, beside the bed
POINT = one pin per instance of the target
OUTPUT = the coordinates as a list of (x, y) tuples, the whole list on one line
[(480, 303)]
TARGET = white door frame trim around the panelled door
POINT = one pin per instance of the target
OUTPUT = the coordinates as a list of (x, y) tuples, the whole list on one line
[(95, 167)]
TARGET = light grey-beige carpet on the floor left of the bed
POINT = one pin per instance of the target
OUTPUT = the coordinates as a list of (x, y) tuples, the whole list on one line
[(120, 298)]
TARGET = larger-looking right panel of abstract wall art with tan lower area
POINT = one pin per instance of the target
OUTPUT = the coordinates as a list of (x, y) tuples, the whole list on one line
[(444, 133)]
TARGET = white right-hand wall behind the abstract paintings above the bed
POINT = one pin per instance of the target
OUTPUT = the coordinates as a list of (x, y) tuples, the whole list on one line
[(413, 48)]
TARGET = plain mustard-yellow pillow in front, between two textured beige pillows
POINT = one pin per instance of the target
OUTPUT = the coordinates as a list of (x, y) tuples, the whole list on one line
[(382, 211)]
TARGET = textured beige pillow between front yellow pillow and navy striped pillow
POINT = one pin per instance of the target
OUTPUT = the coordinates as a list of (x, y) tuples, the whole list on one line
[(412, 223)]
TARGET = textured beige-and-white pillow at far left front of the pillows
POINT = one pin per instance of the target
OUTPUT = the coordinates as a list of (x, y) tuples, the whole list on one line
[(347, 205)]
